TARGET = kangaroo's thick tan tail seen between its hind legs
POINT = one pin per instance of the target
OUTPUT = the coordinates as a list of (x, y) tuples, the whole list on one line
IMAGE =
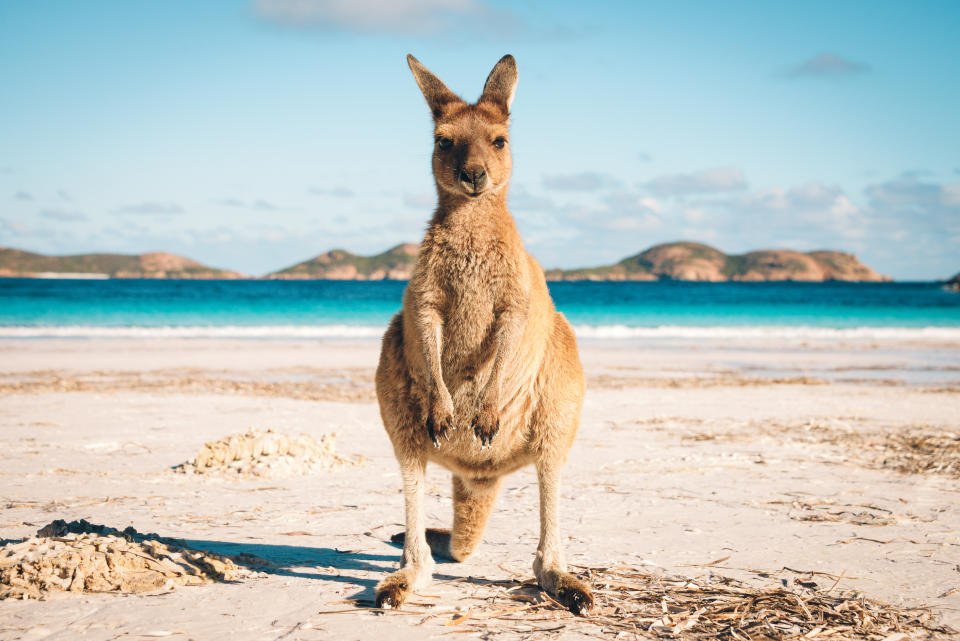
[(473, 501)]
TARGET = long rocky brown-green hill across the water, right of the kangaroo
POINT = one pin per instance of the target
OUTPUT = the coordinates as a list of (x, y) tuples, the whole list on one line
[(695, 261)]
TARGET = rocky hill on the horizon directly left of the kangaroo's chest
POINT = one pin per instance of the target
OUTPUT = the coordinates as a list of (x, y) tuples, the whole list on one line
[(394, 264)]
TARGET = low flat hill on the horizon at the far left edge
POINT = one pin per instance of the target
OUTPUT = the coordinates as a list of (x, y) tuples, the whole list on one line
[(18, 263)]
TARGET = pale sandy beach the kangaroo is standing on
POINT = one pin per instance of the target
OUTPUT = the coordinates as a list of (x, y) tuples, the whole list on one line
[(771, 460)]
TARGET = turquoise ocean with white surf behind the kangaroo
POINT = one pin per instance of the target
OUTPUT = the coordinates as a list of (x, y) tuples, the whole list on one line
[(41, 308)]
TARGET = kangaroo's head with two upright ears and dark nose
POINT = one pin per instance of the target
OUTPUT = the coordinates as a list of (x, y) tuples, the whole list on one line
[(471, 143)]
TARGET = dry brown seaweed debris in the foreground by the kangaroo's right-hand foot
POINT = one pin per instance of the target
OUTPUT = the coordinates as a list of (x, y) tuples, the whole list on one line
[(632, 603)]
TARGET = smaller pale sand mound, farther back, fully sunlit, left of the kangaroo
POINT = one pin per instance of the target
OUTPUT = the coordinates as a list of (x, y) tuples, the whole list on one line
[(267, 454)]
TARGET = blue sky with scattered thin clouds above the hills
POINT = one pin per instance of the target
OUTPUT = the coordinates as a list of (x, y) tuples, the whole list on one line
[(256, 134)]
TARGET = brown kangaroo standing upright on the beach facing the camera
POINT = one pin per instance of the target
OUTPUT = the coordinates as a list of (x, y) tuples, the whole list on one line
[(478, 372)]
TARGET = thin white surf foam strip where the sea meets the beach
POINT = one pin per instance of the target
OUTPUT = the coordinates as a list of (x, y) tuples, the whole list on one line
[(583, 331)]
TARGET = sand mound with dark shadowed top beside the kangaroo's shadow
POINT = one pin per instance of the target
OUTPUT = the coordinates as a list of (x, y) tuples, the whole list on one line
[(86, 557)]
